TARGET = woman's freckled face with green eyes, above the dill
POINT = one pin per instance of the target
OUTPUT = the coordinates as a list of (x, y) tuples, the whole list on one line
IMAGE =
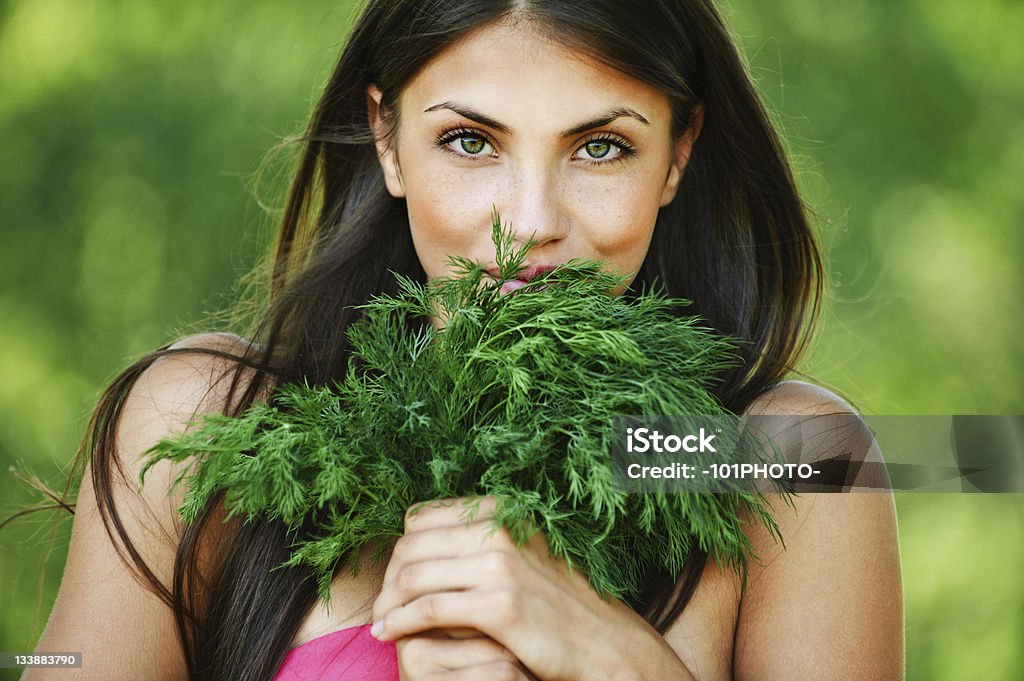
[(571, 152)]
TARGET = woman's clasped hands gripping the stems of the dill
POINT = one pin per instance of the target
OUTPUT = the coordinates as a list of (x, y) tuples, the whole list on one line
[(450, 574)]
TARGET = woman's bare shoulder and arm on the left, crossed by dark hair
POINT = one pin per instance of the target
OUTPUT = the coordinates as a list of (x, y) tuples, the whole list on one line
[(104, 610)]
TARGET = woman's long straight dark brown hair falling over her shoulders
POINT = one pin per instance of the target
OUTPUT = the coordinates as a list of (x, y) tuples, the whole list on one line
[(736, 240)]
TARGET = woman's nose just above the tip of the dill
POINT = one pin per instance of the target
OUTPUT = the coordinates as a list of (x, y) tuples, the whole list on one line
[(535, 208)]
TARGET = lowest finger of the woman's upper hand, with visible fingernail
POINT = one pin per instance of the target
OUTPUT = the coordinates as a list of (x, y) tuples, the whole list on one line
[(490, 612)]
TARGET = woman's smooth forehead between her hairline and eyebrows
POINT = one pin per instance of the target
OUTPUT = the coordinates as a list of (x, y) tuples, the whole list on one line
[(530, 82)]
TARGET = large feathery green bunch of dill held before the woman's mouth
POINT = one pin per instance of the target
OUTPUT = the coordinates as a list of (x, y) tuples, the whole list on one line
[(515, 396)]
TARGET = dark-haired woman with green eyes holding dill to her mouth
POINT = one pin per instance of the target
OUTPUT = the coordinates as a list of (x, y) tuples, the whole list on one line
[(618, 131)]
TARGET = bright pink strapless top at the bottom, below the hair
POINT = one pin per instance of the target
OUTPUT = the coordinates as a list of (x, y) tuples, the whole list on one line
[(348, 655)]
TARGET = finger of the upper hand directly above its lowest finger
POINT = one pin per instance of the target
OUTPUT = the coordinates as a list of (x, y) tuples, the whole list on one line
[(414, 580)]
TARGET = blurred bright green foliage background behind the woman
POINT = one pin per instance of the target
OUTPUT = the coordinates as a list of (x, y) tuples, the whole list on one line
[(130, 134)]
